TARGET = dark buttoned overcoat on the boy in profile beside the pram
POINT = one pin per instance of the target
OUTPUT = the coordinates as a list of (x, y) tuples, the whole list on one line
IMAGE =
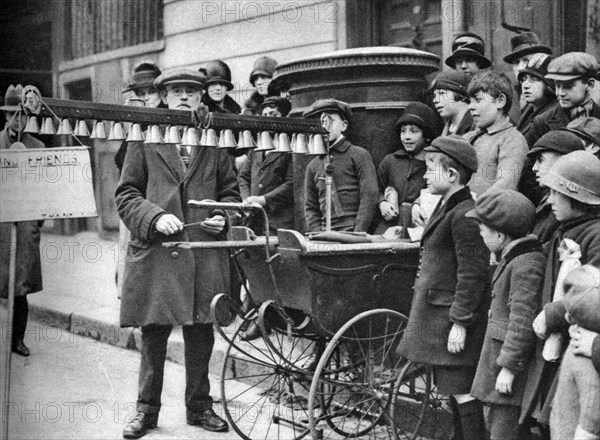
[(452, 286)]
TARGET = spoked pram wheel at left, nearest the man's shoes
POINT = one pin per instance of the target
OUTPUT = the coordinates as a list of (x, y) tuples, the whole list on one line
[(264, 396)]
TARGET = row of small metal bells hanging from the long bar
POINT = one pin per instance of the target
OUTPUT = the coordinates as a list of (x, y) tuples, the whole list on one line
[(299, 143)]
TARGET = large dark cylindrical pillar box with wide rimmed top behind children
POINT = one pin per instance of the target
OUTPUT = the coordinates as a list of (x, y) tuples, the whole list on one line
[(377, 82)]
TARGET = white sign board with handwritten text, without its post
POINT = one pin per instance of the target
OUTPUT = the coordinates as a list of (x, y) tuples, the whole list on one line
[(47, 183)]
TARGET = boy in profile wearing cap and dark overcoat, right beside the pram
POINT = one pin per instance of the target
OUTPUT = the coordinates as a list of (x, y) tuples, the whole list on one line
[(448, 314)]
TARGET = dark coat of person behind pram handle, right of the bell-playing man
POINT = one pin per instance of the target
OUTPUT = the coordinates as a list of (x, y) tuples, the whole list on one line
[(272, 176)]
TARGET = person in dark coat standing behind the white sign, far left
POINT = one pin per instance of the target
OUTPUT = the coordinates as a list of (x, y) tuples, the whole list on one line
[(29, 266)]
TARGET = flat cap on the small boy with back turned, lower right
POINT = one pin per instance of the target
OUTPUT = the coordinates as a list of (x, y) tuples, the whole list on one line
[(504, 210)]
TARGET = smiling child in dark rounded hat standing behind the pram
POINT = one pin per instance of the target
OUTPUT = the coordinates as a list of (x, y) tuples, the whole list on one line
[(400, 175)]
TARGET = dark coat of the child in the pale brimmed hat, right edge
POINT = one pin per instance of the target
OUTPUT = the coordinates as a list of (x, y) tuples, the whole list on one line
[(585, 231)]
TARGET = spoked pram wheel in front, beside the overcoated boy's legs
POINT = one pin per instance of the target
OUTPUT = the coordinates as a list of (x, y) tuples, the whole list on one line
[(354, 380)]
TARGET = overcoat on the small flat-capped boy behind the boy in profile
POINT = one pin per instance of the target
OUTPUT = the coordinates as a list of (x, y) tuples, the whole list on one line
[(509, 338)]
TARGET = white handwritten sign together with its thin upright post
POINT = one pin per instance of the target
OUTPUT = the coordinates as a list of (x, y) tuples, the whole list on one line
[(37, 184)]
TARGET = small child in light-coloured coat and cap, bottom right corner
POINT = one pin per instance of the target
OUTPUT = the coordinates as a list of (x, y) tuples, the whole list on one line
[(576, 407)]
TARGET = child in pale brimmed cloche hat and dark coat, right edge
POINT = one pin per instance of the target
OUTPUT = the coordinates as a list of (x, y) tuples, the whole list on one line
[(574, 182)]
